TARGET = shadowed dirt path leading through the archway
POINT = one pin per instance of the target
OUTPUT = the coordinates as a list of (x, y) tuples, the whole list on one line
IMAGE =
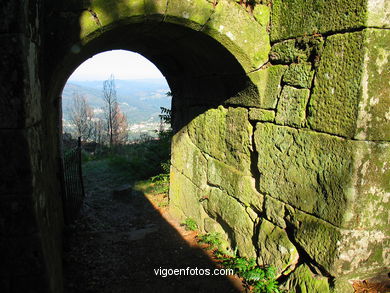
[(121, 238)]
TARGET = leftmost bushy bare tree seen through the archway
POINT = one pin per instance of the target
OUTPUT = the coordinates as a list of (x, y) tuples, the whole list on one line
[(81, 116)]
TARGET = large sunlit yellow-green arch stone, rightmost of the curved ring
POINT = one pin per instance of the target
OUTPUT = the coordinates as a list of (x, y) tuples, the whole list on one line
[(244, 37)]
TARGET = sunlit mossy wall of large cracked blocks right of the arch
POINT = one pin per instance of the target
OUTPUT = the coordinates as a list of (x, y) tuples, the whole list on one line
[(297, 173)]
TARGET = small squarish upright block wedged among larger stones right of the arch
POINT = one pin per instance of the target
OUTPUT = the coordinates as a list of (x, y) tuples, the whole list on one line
[(292, 107)]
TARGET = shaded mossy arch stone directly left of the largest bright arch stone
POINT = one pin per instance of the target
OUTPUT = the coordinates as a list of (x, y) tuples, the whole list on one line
[(193, 14)]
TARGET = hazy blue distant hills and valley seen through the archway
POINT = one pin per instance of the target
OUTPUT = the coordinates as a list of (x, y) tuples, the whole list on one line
[(140, 100)]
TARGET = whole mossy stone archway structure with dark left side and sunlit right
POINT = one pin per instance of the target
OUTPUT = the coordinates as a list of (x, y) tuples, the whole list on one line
[(281, 121)]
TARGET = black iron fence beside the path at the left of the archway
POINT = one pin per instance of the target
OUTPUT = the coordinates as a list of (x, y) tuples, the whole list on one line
[(73, 196)]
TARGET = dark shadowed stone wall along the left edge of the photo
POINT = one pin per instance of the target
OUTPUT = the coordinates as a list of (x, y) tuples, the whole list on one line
[(30, 202)]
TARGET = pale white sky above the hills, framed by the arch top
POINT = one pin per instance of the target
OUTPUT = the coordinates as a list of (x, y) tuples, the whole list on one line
[(122, 64)]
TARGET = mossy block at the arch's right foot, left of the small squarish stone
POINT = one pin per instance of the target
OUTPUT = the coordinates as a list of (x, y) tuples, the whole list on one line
[(268, 82)]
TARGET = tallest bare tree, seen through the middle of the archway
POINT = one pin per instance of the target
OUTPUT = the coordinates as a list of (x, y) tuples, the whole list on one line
[(115, 119)]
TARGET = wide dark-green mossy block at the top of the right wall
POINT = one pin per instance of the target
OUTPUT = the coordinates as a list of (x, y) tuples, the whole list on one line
[(300, 17)]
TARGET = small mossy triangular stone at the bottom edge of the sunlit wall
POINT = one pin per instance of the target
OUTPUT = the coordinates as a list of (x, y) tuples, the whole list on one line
[(305, 281)]
